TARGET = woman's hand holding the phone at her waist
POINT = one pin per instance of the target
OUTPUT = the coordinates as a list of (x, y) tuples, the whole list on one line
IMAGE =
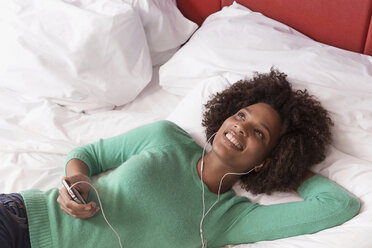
[(80, 211)]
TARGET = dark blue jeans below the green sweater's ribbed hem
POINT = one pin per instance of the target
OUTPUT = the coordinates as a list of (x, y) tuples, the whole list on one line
[(13, 222)]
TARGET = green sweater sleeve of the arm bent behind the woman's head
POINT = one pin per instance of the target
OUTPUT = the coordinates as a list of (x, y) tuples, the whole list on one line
[(324, 205)]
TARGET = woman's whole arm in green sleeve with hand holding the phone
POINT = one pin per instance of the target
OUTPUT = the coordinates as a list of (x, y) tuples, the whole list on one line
[(103, 155)]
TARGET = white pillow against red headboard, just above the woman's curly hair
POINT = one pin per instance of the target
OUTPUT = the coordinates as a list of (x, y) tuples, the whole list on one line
[(241, 41)]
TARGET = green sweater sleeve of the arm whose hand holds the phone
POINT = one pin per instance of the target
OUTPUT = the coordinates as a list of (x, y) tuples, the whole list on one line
[(110, 153)]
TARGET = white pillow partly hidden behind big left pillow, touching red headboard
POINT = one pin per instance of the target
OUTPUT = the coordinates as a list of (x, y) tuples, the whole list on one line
[(165, 27)]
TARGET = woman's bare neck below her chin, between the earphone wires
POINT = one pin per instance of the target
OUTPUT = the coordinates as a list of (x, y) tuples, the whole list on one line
[(213, 171)]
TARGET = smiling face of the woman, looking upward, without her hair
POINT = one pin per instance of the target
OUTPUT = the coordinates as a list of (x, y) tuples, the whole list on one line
[(246, 138)]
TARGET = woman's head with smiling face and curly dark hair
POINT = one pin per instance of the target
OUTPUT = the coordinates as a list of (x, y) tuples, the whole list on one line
[(288, 130)]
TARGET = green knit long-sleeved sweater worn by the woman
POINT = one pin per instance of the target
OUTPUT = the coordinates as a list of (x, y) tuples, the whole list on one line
[(153, 198)]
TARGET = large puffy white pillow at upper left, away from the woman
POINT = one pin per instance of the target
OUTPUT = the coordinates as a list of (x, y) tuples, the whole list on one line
[(86, 55)]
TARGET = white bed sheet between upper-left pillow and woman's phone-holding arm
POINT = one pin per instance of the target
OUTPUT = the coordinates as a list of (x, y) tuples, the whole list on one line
[(36, 135)]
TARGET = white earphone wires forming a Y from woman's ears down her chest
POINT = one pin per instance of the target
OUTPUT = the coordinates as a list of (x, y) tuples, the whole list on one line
[(204, 214)]
